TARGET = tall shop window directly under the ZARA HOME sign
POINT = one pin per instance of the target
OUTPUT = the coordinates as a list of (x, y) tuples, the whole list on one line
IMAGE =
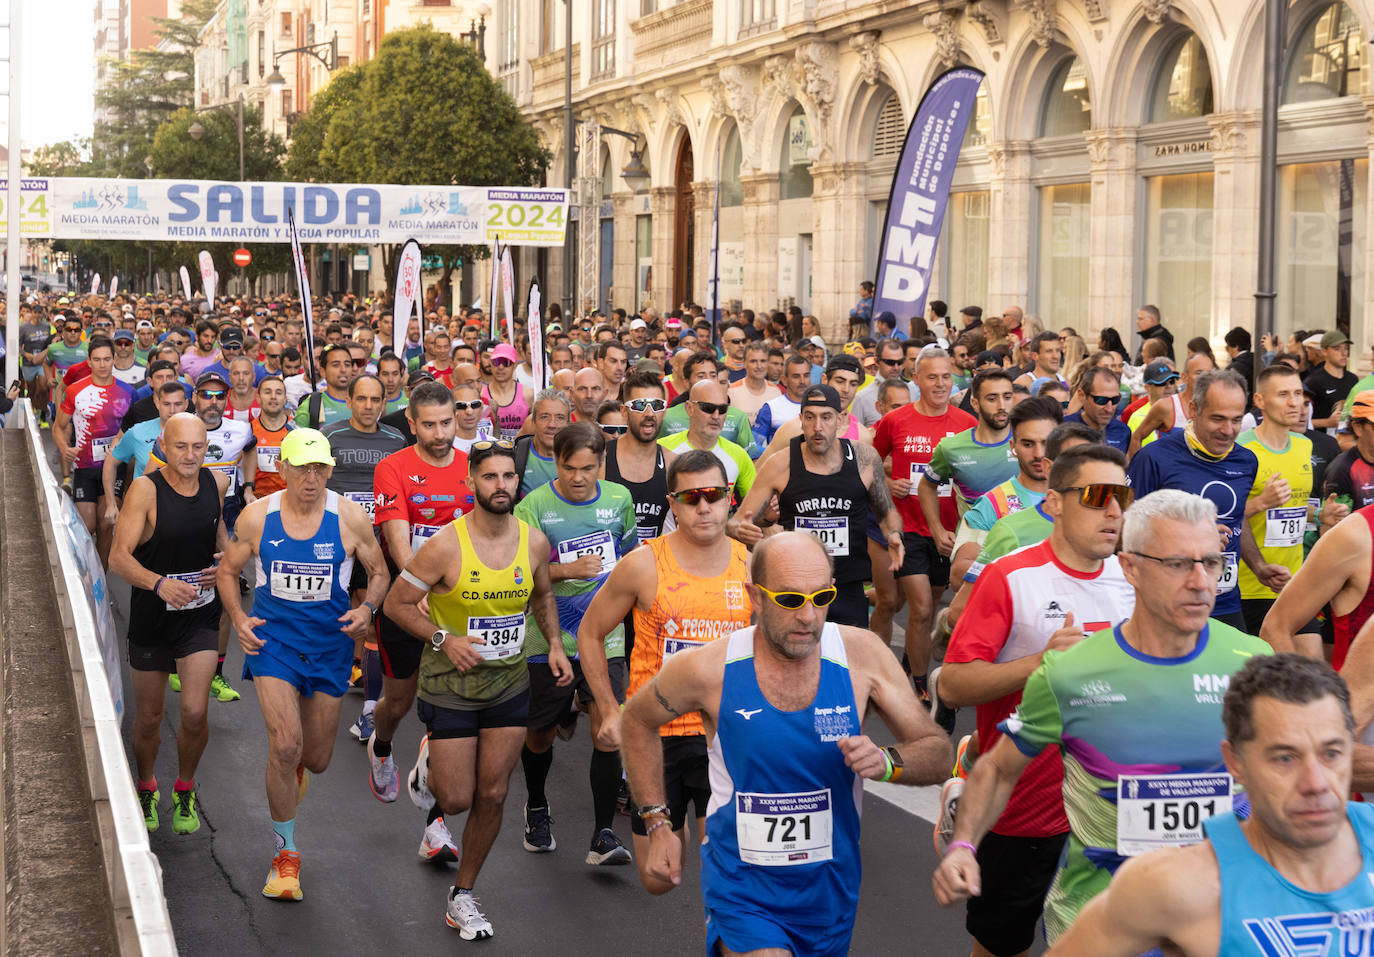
[(1178, 252)]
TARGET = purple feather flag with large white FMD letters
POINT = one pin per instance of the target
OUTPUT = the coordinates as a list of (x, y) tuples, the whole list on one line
[(920, 193)]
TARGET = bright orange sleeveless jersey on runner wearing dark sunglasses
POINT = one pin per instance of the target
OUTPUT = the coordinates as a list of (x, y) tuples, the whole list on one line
[(688, 612)]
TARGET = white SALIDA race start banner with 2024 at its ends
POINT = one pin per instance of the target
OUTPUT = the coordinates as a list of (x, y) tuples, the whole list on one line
[(204, 211)]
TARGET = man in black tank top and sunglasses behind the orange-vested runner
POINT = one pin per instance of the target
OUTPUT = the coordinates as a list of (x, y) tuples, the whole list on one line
[(635, 459)]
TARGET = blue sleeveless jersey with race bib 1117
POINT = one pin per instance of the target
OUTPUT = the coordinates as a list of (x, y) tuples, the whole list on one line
[(303, 584)]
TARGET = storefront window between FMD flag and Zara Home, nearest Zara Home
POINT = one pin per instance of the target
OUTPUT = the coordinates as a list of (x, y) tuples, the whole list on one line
[(1066, 234)]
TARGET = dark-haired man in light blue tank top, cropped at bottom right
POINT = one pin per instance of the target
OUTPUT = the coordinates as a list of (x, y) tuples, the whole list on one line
[(1296, 879)]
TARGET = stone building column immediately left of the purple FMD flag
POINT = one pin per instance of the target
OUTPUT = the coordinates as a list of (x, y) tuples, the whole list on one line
[(839, 245)]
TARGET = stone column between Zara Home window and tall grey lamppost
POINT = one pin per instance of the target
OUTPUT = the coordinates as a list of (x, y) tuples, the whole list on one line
[(1236, 219)]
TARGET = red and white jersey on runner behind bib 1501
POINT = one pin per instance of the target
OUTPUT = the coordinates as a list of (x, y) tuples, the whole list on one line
[(1017, 603)]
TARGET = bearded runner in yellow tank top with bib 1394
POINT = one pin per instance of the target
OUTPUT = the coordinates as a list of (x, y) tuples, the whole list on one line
[(482, 575)]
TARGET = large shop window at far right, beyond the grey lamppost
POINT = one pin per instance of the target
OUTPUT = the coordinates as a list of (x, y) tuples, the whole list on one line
[(1321, 246)]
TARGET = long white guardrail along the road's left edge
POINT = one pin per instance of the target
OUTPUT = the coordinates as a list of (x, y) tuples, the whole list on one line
[(135, 877)]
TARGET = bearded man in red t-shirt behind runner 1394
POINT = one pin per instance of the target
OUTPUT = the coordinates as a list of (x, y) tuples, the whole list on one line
[(418, 492)]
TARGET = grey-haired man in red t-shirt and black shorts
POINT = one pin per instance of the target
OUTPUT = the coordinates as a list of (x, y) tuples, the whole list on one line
[(909, 436)]
